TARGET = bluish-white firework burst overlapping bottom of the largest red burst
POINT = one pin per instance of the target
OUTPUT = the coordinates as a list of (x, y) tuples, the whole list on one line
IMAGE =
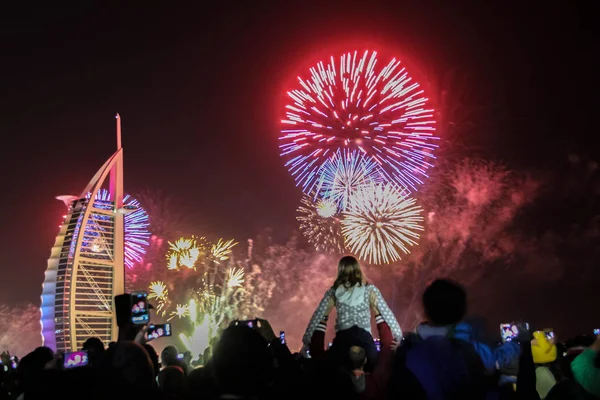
[(343, 174)]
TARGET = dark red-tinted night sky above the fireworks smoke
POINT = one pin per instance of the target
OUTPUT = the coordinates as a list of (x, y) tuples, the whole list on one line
[(201, 91)]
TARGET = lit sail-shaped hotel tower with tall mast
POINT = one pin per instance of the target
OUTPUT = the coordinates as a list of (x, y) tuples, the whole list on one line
[(86, 265)]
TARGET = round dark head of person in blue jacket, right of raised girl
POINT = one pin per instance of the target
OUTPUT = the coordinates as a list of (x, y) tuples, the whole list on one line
[(444, 302)]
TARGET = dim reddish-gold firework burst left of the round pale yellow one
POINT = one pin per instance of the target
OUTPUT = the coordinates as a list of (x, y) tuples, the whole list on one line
[(324, 233)]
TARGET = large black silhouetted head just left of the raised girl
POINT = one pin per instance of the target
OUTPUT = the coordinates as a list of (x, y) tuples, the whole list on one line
[(242, 362)]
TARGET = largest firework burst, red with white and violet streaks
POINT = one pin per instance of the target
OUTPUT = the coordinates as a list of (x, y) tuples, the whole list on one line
[(355, 104)]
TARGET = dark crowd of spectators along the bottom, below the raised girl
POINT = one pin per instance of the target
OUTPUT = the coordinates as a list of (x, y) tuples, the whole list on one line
[(443, 359)]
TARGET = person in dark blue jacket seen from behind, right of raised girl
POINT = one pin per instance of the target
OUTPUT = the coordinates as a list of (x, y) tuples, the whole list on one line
[(430, 364)]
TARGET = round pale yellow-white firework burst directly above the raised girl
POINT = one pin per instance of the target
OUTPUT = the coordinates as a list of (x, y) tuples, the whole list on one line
[(379, 222)]
